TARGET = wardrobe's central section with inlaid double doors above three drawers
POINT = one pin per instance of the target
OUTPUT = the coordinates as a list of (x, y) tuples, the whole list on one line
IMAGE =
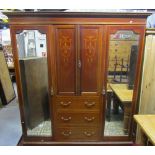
[(77, 82)]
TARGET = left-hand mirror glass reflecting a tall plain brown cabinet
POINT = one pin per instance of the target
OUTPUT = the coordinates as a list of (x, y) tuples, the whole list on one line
[(32, 53)]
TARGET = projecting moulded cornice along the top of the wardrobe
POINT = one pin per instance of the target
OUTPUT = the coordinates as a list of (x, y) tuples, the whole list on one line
[(45, 18)]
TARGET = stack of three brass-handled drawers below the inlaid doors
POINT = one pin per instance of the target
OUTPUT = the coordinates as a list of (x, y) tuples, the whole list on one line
[(75, 113)]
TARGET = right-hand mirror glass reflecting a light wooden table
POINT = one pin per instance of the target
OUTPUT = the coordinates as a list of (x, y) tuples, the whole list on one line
[(123, 51)]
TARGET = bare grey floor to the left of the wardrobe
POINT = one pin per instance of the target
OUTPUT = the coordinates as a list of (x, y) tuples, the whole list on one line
[(10, 128)]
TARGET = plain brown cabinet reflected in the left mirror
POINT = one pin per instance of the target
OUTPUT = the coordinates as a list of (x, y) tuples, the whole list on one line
[(34, 79)]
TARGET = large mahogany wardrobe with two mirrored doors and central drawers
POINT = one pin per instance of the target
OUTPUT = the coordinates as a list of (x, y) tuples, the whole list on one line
[(80, 51)]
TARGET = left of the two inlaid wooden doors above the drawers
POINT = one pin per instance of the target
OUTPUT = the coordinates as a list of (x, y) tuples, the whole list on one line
[(65, 59)]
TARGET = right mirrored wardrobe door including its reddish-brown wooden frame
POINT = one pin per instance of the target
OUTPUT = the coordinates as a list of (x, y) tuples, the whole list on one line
[(123, 76)]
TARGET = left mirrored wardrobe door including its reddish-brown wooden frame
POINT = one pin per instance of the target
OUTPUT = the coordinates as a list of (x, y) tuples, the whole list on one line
[(32, 72)]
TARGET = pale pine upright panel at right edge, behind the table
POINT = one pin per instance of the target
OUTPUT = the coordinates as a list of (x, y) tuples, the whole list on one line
[(147, 98)]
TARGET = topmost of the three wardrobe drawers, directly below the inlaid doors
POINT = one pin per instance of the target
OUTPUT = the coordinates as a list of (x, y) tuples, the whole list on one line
[(77, 102)]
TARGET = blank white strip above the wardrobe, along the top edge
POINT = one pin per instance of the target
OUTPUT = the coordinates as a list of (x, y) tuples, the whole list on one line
[(77, 4)]
